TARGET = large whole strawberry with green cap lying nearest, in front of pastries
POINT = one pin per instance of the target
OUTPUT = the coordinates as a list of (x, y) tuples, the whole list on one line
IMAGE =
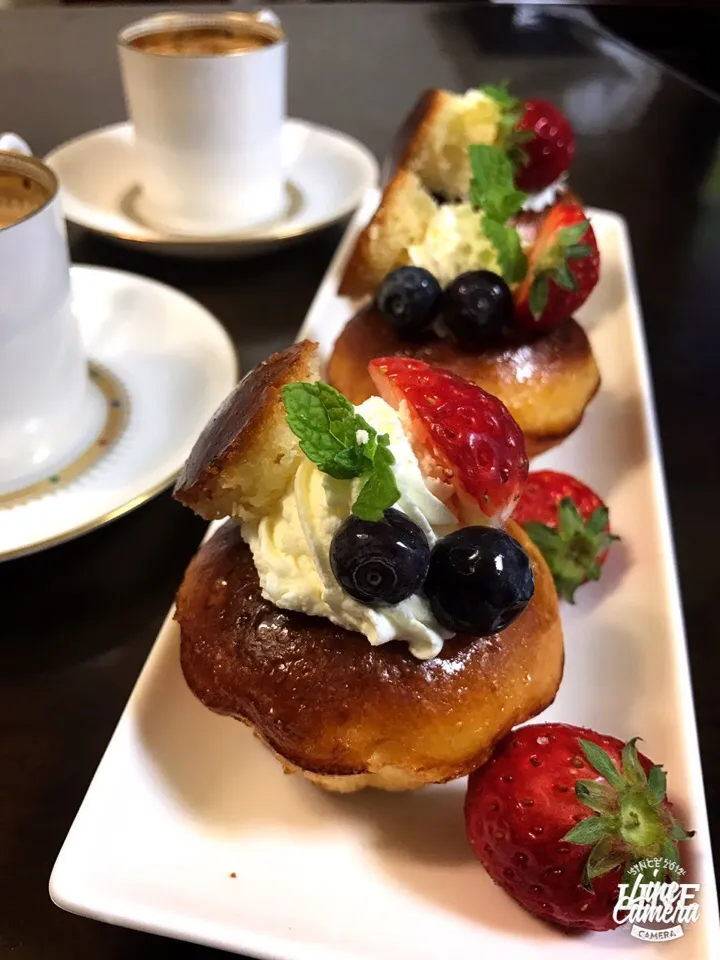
[(557, 815)]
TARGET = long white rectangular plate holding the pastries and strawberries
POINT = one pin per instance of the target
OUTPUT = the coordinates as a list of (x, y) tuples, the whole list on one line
[(189, 828)]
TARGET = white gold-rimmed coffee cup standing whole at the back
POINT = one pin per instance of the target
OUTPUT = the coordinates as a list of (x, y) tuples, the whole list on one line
[(208, 126)]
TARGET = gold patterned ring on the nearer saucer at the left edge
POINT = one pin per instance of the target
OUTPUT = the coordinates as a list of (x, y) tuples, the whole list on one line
[(117, 408)]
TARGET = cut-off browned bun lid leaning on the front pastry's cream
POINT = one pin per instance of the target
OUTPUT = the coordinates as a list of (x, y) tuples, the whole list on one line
[(246, 455)]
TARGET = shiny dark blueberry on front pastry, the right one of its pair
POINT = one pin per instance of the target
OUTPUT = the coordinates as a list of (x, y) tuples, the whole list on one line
[(479, 580)]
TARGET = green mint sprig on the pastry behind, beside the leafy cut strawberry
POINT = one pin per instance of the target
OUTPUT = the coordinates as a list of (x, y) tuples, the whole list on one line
[(493, 191)]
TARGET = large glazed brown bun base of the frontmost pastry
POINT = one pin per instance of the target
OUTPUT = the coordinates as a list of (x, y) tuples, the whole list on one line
[(343, 713)]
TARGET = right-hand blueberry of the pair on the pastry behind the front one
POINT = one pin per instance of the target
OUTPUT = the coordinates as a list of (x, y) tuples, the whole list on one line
[(476, 306)]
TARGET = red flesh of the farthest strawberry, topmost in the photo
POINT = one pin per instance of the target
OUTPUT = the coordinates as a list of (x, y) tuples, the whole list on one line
[(548, 150)]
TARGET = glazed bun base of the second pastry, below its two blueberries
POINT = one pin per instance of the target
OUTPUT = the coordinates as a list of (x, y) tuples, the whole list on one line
[(546, 382)]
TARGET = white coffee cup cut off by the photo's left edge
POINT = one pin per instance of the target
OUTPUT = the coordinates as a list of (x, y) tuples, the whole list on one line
[(43, 371)]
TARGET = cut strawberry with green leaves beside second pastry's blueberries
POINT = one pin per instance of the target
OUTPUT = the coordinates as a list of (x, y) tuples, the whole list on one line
[(563, 268)]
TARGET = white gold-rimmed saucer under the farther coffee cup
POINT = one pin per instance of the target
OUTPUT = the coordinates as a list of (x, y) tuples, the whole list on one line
[(328, 174)]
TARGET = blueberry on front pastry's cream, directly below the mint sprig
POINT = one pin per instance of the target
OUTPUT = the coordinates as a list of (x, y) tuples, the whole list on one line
[(380, 562)]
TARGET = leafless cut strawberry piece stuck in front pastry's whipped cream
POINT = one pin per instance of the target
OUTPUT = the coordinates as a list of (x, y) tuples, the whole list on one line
[(463, 436)]
